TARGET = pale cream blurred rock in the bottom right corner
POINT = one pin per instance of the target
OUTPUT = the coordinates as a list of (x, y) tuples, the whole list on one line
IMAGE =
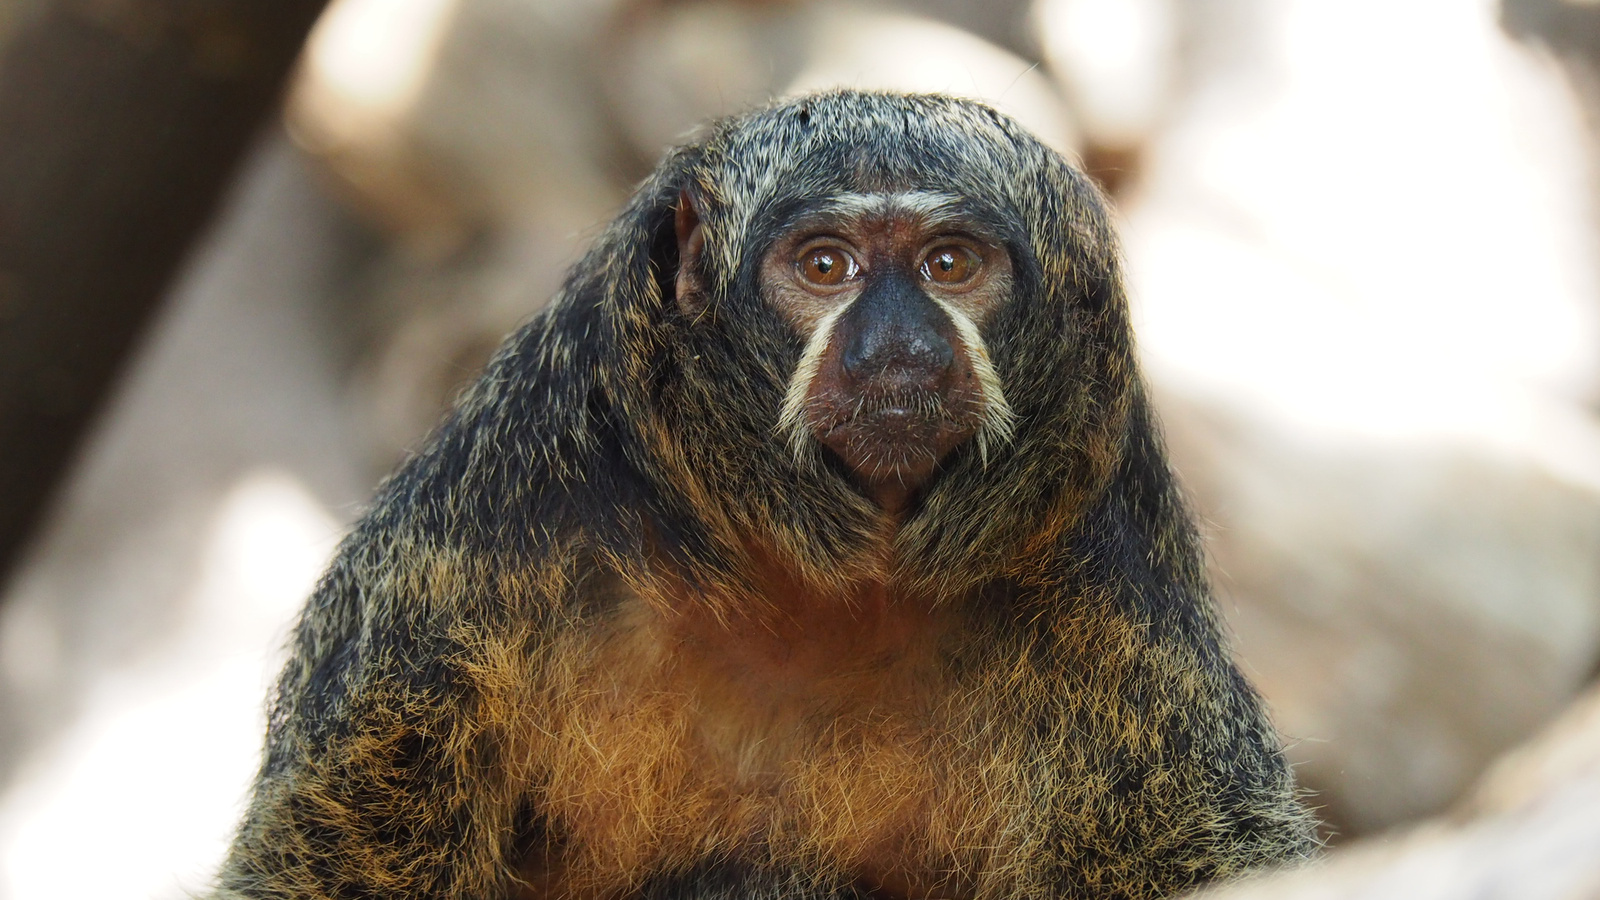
[(1530, 832)]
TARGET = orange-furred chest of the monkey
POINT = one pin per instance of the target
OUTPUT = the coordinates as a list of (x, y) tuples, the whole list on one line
[(674, 742)]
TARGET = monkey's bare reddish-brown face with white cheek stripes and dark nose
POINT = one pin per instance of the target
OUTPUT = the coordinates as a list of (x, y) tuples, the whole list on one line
[(890, 294)]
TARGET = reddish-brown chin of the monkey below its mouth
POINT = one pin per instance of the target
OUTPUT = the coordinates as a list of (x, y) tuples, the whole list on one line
[(894, 452)]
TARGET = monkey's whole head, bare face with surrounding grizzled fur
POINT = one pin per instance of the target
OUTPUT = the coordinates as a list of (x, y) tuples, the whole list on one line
[(865, 321)]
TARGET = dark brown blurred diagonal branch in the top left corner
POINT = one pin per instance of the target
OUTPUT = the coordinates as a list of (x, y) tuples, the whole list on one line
[(121, 126)]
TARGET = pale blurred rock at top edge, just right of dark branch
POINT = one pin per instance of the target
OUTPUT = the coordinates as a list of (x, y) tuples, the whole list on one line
[(444, 118)]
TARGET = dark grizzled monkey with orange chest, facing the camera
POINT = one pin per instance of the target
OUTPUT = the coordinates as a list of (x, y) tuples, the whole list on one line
[(817, 540)]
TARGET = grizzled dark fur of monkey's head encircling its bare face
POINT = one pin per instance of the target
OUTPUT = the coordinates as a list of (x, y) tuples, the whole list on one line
[(695, 395)]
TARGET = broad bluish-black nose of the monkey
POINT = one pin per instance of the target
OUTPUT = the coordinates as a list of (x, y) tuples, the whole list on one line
[(894, 337)]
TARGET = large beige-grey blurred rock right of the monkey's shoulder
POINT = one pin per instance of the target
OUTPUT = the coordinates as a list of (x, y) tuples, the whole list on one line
[(1409, 614)]
